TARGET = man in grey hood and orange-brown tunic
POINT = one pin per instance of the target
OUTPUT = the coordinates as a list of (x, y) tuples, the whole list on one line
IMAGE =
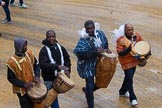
[(23, 69)]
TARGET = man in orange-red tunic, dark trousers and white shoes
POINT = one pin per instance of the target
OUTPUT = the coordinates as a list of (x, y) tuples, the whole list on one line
[(128, 60)]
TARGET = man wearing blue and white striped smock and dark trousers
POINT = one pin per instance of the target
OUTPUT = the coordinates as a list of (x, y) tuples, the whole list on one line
[(91, 44)]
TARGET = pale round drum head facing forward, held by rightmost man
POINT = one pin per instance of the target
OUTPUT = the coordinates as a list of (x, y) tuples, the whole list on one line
[(142, 48)]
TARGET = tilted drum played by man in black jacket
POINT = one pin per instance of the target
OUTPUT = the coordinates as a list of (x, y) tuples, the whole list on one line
[(63, 84)]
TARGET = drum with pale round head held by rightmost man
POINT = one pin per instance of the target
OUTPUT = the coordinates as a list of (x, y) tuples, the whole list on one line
[(142, 49)]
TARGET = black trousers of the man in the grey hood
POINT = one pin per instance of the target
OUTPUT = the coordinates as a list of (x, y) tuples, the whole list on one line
[(25, 101)]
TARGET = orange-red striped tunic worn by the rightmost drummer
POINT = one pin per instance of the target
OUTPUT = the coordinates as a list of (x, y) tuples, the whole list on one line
[(128, 61)]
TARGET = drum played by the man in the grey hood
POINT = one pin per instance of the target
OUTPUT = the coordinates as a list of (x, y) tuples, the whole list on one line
[(38, 92)]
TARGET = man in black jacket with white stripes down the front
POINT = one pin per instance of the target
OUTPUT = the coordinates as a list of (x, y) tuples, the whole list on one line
[(53, 58)]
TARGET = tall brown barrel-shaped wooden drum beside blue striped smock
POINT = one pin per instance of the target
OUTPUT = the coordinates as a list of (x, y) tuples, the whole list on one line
[(105, 69)]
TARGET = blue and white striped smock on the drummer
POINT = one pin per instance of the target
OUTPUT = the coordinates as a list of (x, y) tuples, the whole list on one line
[(86, 53)]
